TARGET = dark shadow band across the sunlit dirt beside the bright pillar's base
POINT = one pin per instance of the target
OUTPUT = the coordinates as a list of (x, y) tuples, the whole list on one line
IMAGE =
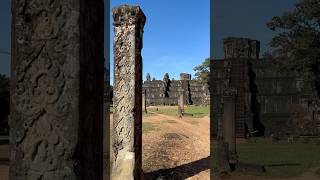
[(181, 172)]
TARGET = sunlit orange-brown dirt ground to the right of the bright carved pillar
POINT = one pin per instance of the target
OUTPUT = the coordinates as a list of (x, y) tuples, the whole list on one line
[(178, 148)]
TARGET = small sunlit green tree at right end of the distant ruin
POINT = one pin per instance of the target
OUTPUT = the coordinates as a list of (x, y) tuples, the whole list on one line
[(202, 71)]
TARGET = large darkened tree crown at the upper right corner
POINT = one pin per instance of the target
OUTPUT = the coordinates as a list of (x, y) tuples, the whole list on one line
[(296, 46)]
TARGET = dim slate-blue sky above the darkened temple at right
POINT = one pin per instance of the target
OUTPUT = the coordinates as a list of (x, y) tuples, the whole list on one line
[(245, 18)]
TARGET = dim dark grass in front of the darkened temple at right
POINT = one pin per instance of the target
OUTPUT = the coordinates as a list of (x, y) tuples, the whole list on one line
[(284, 159)]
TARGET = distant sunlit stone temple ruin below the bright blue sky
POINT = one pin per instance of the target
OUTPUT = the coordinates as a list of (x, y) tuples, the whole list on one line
[(167, 92)]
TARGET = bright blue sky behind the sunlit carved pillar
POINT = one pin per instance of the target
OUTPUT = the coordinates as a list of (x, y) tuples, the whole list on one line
[(176, 35)]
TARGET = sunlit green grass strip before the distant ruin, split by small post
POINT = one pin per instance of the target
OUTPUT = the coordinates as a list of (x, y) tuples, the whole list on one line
[(197, 111)]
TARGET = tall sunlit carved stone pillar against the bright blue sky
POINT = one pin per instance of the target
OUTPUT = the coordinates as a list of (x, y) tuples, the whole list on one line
[(127, 118)]
